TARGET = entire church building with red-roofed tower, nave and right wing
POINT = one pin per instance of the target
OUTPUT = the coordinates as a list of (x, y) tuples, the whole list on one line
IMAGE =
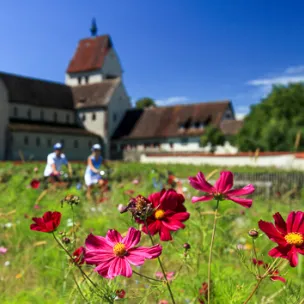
[(94, 106)]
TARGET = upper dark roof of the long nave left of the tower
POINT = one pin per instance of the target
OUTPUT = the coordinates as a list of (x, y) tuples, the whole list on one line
[(37, 92)]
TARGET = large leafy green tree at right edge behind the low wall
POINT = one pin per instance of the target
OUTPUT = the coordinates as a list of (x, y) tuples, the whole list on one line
[(275, 123)]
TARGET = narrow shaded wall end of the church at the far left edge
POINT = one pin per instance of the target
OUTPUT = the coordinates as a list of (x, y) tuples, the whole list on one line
[(4, 110)]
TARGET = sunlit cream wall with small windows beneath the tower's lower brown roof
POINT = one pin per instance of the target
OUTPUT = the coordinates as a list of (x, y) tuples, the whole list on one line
[(96, 126)]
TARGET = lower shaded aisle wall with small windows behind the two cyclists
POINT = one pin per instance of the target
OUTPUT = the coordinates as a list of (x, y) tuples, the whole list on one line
[(32, 151)]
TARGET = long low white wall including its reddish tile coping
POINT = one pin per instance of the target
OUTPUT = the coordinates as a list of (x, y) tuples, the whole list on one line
[(285, 160)]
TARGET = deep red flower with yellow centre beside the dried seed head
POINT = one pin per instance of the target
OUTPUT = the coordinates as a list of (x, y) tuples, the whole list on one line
[(169, 214)]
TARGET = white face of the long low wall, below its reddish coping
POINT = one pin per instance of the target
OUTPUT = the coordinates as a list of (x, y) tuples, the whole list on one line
[(280, 161)]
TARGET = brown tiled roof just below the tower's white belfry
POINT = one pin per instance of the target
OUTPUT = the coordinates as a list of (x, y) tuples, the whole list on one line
[(94, 95)]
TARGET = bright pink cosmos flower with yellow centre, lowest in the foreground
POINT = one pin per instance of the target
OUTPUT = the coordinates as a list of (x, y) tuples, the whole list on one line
[(113, 254)]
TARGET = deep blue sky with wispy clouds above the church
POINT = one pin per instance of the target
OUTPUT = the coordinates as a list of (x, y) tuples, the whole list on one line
[(175, 51)]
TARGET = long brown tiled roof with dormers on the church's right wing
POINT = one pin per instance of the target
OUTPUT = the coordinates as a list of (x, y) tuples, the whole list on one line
[(176, 121)]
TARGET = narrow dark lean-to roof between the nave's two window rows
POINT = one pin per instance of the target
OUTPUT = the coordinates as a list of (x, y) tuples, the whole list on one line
[(42, 127)]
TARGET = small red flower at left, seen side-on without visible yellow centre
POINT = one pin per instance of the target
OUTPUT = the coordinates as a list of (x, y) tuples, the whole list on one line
[(48, 223)]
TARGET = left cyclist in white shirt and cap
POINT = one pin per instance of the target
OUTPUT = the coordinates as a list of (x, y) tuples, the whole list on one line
[(55, 161)]
